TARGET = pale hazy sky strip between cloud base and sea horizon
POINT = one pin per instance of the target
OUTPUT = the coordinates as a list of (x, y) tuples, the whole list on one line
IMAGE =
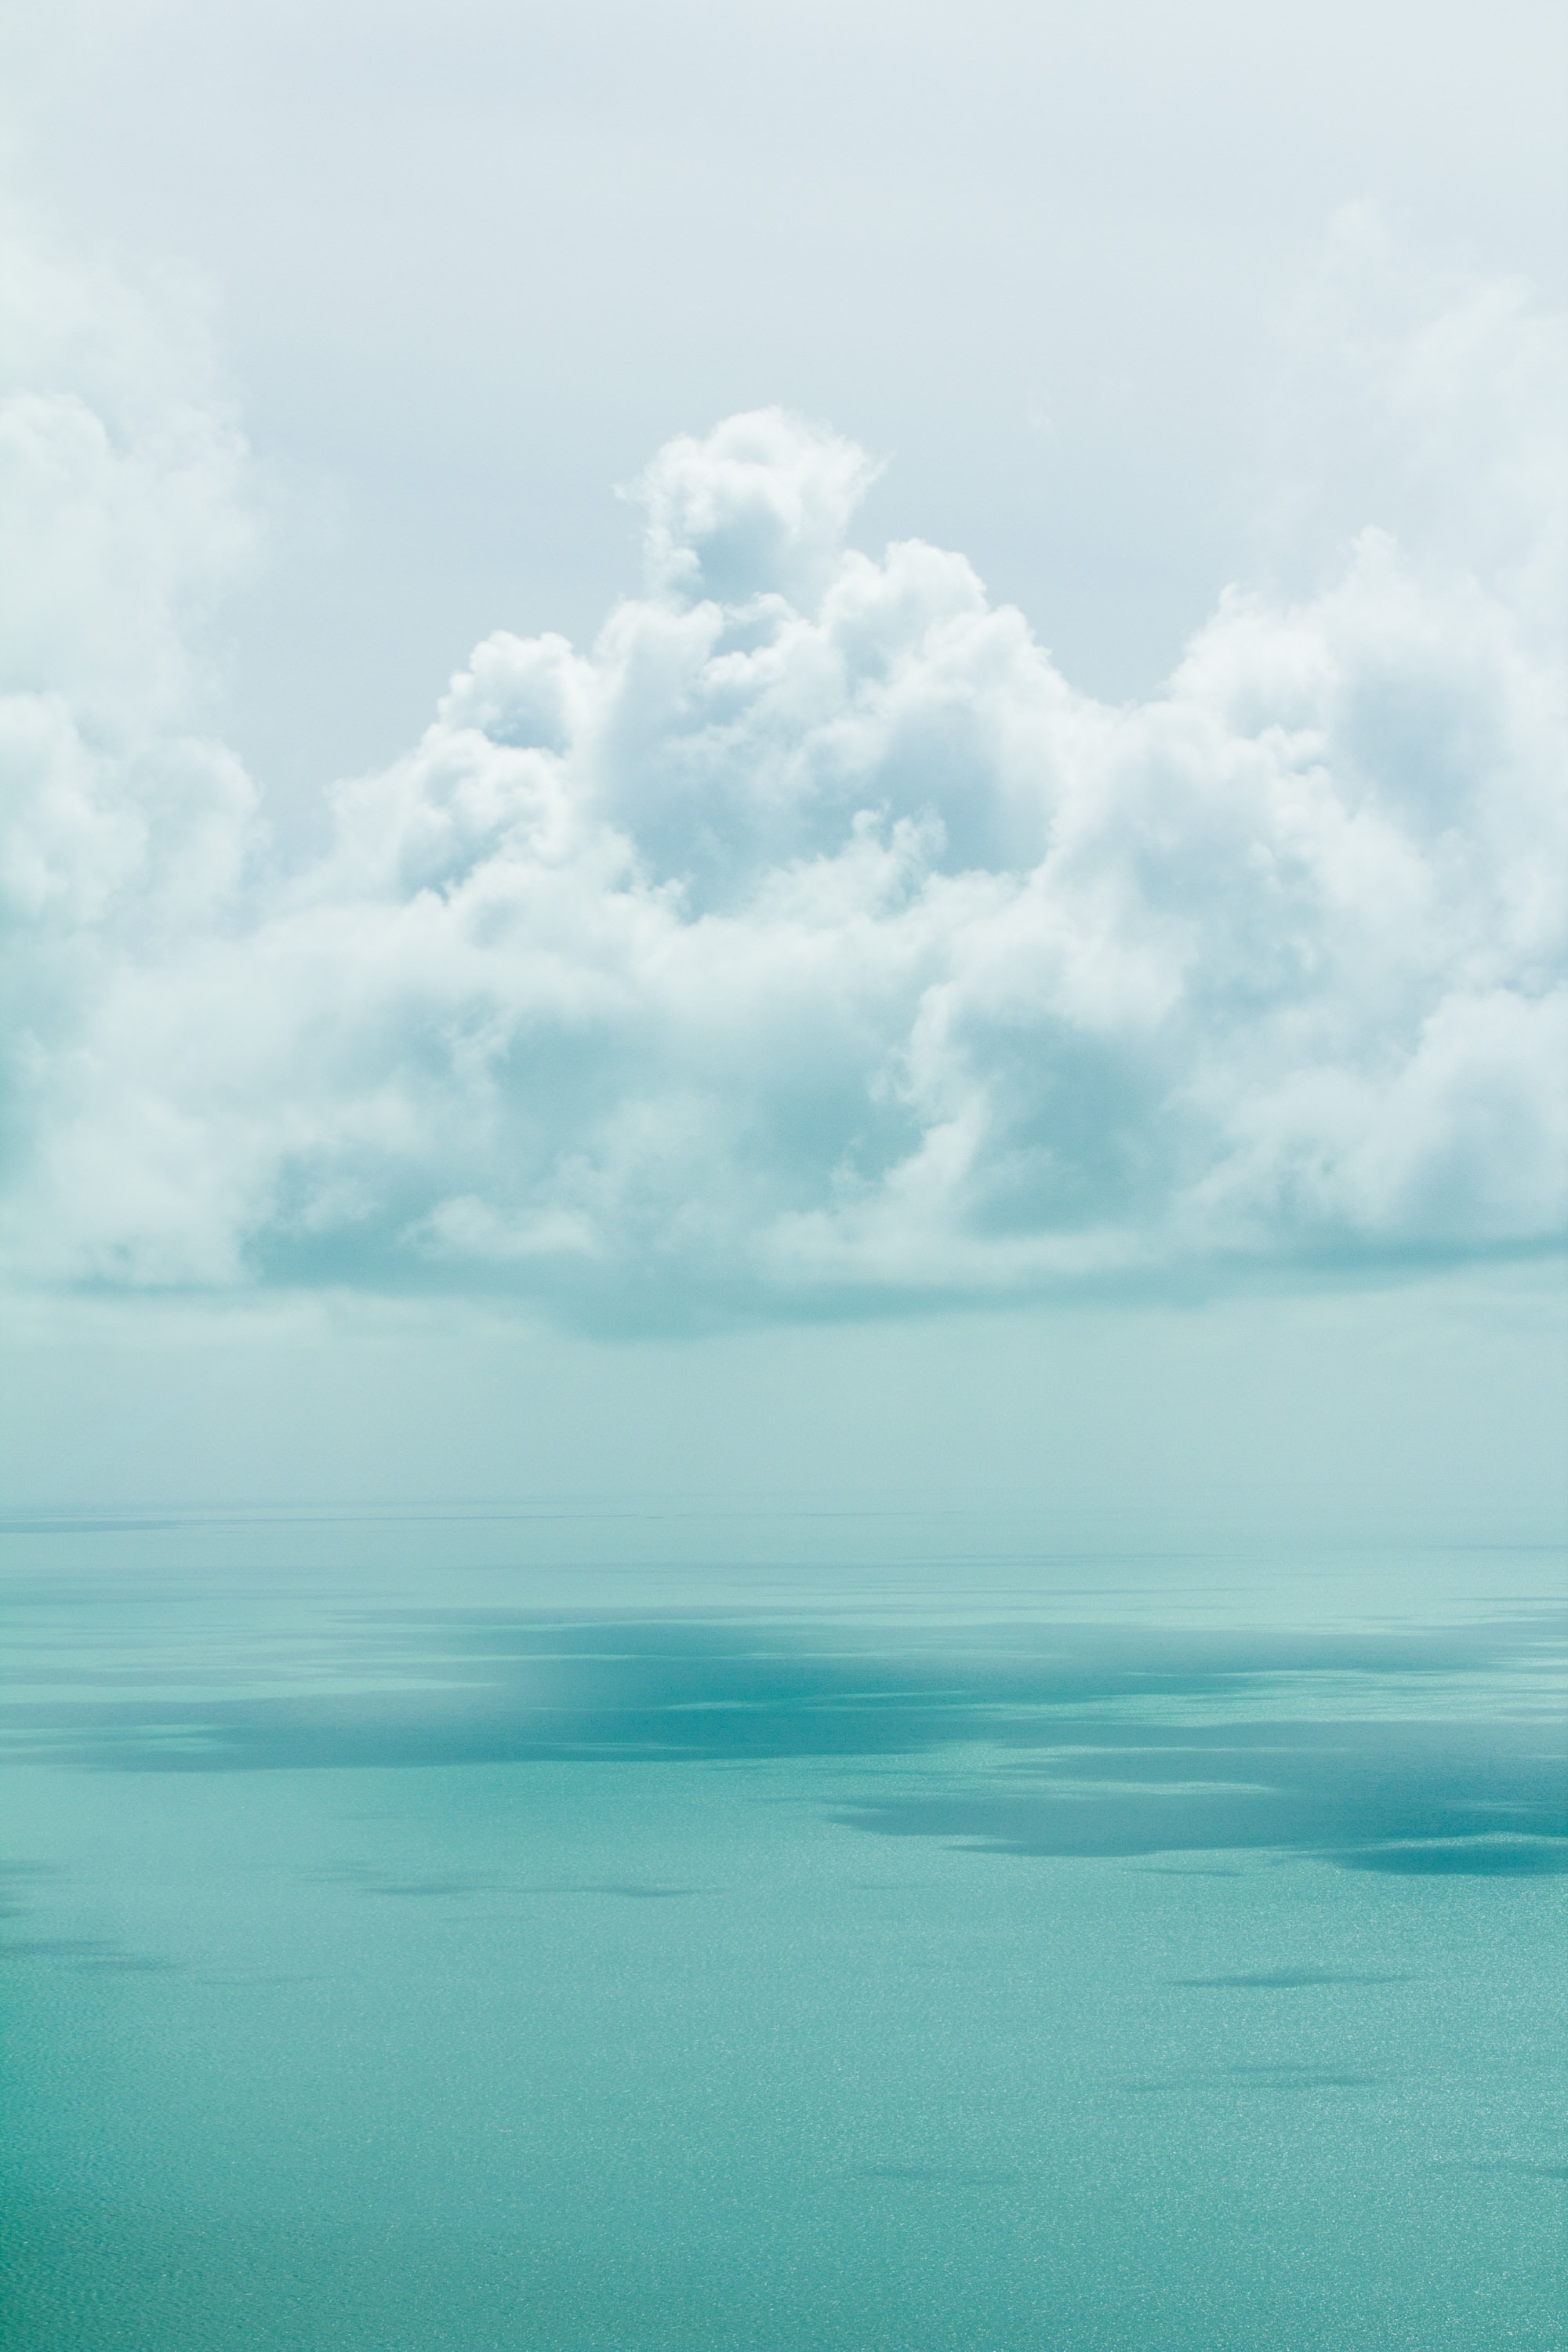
[(1416, 1417)]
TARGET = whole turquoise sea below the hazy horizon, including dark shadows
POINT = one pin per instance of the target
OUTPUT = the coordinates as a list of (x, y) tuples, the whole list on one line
[(779, 1932)]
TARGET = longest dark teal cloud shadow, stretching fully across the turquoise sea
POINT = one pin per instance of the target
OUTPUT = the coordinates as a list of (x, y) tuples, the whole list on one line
[(516, 1688)]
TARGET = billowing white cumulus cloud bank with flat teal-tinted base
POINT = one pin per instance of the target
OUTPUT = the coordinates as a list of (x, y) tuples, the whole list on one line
[(808, 942)]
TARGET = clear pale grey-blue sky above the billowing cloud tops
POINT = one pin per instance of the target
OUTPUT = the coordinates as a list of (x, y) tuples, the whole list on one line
[(471, 265)]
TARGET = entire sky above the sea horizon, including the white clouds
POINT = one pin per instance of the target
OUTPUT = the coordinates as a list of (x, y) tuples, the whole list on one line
[(789, 751)]
